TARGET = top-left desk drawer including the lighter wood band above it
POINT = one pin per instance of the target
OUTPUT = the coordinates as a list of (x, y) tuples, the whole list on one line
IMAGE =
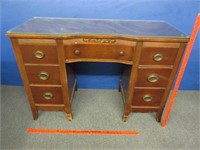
[(38, 51)]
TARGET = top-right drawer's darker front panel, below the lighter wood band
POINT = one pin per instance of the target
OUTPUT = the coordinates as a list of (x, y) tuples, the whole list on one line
[(158, 56)]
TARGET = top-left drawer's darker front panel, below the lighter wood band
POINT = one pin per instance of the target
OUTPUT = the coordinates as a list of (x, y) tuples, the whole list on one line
[(39, 54)]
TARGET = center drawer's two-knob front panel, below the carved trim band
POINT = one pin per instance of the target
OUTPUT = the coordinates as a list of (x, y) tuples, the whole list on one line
[(99, 51)]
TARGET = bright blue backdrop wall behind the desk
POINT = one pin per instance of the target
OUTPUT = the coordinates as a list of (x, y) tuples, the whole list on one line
[(179, 13)]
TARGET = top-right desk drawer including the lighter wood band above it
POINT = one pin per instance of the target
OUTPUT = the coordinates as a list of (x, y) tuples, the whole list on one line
[(155, 53)]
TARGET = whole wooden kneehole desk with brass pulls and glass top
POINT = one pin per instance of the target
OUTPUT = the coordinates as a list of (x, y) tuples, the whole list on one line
[(47, 48)]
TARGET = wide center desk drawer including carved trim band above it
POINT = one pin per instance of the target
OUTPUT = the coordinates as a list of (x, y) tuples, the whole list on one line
[(104, 49)]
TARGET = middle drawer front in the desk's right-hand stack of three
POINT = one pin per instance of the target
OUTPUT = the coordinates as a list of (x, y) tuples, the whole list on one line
[(153, 77)]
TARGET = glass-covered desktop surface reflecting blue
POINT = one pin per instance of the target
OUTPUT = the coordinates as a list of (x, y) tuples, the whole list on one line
[(64, 26)]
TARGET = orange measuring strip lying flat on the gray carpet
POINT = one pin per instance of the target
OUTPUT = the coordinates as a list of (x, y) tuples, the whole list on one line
[(52, 131)]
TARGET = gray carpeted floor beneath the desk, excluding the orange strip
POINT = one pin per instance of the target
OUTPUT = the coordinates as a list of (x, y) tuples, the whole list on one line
[(98, 110)]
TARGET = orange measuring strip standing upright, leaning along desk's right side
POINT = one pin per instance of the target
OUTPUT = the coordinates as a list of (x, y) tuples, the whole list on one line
[(182, 69)]
